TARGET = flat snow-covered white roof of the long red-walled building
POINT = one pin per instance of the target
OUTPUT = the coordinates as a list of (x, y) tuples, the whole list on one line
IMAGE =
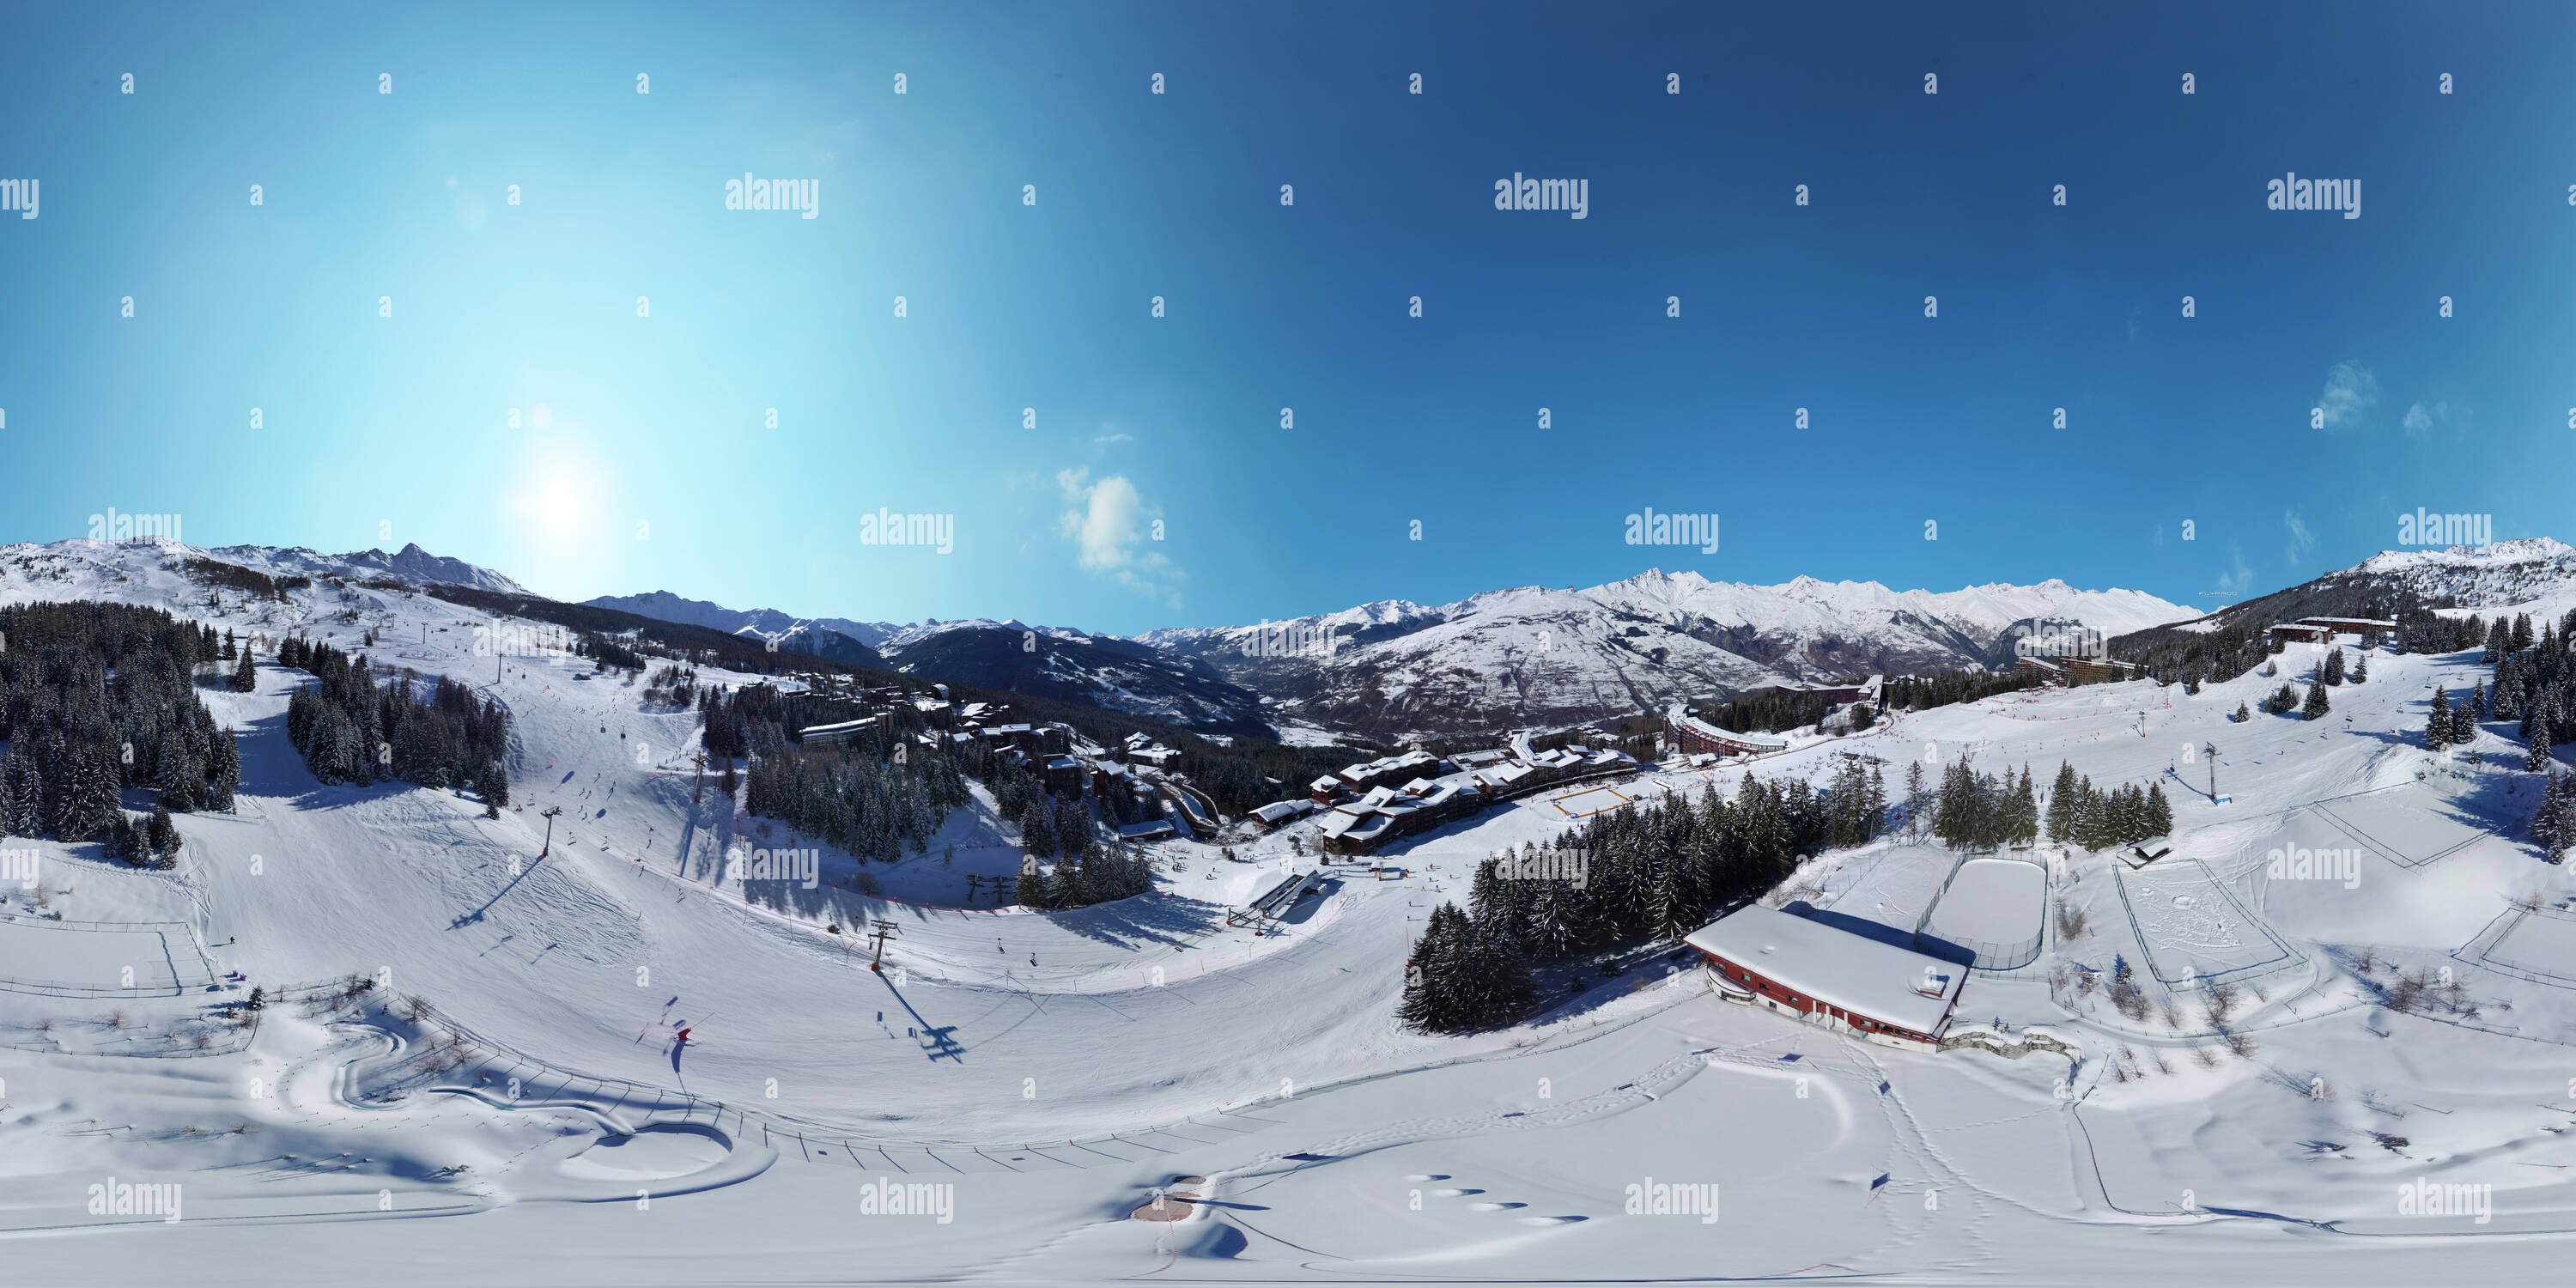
[(1838, 967)]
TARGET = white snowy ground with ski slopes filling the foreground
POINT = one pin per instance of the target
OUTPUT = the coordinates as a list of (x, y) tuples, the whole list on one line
[(1045, 1075)]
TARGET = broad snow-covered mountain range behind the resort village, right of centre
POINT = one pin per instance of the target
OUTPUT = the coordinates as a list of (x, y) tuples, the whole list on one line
[(1537, 656)]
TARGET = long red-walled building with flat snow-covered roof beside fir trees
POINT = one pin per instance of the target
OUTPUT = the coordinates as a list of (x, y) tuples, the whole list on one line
[(1830, 978)]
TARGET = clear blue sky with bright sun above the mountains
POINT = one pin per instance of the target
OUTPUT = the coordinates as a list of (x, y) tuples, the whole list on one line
[(653, 465)]
